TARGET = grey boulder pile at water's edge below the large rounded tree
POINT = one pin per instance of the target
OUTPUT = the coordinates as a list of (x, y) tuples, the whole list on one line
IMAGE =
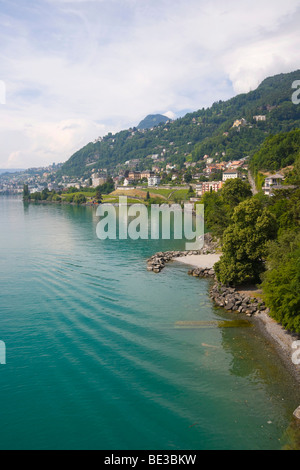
[(232, 300)]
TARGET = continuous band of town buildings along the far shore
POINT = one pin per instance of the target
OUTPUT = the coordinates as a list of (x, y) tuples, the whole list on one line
[(206, 175)]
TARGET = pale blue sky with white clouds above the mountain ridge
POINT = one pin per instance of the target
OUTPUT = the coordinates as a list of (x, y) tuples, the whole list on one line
[(74, 70)]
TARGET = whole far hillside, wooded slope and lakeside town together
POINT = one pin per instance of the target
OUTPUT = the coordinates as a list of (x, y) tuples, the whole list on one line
[(198, 152)]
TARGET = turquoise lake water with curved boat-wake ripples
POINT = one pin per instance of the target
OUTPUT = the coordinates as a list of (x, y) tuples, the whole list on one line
[(94, 360)]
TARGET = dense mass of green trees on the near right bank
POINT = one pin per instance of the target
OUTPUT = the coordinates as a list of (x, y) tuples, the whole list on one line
[(260, 238)]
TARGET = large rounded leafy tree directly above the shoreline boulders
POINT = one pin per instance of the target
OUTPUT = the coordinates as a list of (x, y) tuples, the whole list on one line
[(245, 243)]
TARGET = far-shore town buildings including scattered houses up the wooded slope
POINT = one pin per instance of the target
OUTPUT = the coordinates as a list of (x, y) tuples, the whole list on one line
[(206, 175)]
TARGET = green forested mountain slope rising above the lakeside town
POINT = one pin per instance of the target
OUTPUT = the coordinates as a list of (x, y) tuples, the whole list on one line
[(208, 131)]
